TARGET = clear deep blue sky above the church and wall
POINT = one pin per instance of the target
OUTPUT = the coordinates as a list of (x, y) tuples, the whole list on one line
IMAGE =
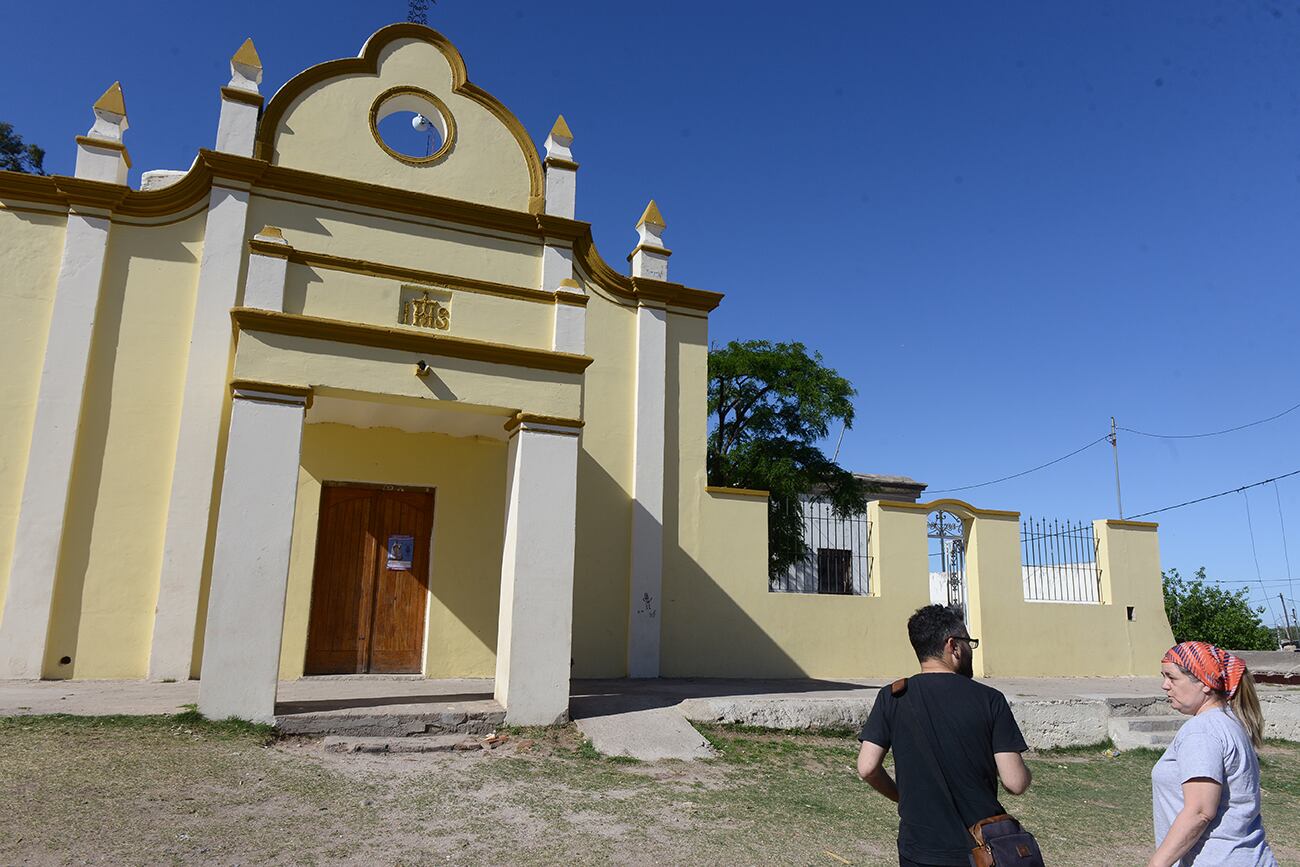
[(1004, 223)]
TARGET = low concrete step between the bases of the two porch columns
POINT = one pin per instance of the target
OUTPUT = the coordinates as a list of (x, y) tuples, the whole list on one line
[(376, 722)]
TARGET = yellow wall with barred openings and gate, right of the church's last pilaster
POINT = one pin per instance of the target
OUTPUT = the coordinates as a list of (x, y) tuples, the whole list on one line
[(720, 618)]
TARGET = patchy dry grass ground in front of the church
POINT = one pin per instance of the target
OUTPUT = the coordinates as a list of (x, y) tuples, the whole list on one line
[(144, 791)]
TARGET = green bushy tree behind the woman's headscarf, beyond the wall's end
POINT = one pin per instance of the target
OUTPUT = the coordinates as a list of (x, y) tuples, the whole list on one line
[(1203, 612)]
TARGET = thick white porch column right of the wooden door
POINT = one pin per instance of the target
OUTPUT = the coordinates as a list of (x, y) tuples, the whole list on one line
[(535, 634)]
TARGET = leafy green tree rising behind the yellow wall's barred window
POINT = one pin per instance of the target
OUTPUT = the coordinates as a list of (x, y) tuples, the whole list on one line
[(770, 404)]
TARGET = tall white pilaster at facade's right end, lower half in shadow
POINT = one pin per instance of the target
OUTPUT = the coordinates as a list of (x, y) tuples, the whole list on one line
[(648, 465)]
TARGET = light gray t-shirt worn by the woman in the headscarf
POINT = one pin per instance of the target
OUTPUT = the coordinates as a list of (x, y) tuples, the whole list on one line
[(1215, 745)]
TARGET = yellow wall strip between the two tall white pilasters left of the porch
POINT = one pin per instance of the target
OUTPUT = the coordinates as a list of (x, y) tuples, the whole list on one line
[(112, 549)]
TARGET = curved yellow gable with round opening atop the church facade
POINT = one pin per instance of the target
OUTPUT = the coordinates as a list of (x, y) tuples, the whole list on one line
[(322, 122)]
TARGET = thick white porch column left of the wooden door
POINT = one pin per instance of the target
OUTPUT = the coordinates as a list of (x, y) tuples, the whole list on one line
[(250, 563)]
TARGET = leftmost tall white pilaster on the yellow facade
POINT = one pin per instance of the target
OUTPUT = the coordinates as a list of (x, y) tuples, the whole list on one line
[(25, 625)]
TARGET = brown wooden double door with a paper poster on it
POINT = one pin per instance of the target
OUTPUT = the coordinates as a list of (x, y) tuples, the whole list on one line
[(371, 582)]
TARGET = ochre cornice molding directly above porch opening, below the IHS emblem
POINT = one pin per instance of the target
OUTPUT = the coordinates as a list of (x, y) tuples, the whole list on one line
[(248, 319)]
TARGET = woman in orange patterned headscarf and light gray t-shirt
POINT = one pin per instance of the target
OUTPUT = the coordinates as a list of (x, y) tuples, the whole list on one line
[(1206, 788)]
